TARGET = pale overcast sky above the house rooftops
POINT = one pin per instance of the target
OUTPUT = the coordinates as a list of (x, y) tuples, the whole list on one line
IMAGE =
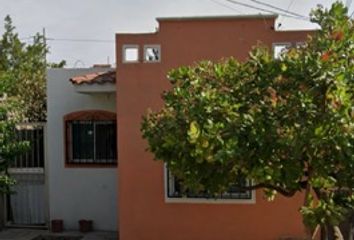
[(82, 32)]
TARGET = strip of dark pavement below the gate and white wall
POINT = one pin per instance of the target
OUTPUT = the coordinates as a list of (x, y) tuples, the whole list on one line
[(31, 234)]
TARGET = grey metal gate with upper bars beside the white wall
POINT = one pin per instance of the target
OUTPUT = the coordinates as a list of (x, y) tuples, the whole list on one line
[(28, 206)]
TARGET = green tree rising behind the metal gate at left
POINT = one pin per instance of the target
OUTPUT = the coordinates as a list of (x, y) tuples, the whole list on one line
[(23, 73)]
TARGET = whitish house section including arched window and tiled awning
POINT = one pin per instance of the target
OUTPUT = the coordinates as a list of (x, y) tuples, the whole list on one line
[(81, 152)]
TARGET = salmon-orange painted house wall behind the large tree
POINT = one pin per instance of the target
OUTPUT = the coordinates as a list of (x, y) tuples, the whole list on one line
[(144, 214)]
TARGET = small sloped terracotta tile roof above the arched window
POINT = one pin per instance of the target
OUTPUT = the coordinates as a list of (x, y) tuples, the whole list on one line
[(95, 78)]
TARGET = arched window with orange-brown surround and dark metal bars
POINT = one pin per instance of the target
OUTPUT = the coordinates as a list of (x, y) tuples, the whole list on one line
[(91, 138)]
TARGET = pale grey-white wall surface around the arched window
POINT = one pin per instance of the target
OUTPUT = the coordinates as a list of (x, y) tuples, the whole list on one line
[(77, 193)]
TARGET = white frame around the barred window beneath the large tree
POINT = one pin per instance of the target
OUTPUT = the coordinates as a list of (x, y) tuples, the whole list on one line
[(168, 199)]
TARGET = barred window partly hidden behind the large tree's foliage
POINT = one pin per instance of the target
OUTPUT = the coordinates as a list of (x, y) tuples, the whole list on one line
[(174, 192)]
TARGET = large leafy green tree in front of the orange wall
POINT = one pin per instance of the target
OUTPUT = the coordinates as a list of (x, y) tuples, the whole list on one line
[(286, 123)]
